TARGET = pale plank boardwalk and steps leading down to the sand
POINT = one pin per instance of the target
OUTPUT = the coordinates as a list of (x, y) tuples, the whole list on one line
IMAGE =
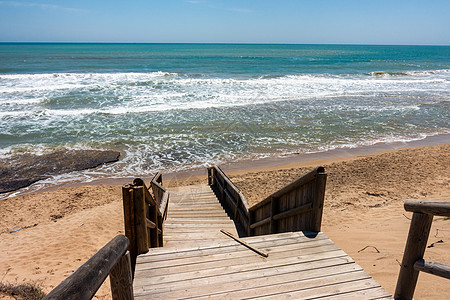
[(198, 261)]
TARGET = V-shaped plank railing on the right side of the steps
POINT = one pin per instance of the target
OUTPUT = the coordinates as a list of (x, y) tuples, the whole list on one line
[(296, 207)]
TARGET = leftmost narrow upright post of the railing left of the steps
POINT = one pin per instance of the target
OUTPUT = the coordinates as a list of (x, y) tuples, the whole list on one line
[(128, 214)]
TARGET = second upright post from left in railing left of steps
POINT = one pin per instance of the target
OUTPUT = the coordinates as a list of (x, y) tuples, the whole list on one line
[(140, 220)]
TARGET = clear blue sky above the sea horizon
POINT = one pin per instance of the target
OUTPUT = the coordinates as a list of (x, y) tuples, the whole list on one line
[(214, 21)]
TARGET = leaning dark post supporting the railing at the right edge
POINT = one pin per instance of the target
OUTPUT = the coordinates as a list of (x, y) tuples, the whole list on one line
[(414, 250)]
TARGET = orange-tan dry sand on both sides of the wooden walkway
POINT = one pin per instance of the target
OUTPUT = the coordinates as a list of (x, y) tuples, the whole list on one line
[(363, 214)]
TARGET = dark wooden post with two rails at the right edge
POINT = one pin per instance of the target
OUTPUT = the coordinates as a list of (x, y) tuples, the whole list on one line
[(419, 230)]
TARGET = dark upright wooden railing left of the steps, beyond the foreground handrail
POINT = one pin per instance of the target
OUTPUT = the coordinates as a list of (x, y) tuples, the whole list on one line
[(144, 215)]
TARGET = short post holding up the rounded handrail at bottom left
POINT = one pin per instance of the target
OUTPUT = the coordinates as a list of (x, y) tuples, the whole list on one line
[(121, 279)]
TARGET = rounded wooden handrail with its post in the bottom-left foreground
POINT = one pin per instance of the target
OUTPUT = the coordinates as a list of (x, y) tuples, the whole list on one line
[(87, 279)]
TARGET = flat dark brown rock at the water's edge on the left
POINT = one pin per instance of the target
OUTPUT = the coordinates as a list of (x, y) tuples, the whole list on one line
[(23, 170)]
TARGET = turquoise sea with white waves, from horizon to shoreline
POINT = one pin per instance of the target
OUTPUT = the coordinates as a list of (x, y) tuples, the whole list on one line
[(176, 106)]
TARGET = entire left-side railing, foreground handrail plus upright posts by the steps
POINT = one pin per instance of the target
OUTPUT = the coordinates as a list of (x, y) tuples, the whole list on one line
[(144, 215)]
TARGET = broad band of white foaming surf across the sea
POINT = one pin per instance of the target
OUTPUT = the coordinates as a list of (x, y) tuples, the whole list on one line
[(122, 93)]
